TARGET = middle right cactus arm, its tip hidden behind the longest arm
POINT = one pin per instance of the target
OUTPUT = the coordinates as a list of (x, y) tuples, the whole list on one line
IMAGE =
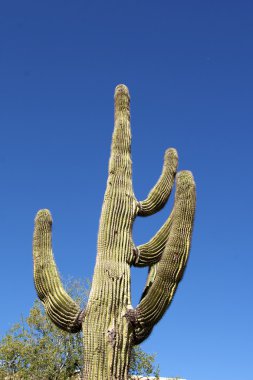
[(150, 253)]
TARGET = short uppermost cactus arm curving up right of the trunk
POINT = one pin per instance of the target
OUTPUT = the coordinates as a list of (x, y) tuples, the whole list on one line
[(160, 193)]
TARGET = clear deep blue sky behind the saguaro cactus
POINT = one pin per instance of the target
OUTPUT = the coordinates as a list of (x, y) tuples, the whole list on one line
[(188, 65)]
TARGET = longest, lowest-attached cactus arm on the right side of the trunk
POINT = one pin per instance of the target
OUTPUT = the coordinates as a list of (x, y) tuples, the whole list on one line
[(170, 268)]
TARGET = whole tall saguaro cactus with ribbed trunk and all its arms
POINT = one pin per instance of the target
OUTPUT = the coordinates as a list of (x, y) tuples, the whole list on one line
[(110, 325)]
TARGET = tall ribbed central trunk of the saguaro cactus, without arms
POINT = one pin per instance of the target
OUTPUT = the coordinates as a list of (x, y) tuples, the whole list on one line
[(107, 333)]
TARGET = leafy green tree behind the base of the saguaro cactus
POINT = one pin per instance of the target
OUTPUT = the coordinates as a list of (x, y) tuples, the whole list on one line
[(36, 349)]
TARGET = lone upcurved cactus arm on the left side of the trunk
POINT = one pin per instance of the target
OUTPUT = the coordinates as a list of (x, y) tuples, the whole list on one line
[(59, 306)]
